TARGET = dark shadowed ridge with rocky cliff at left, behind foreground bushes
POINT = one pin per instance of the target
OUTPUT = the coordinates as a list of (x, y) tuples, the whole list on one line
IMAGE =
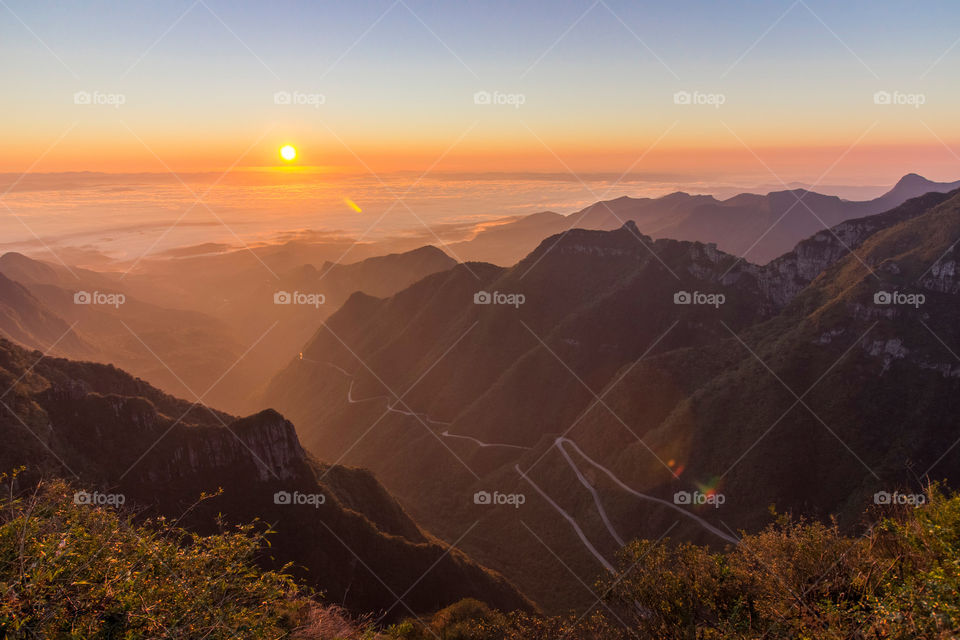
[(113, 433)]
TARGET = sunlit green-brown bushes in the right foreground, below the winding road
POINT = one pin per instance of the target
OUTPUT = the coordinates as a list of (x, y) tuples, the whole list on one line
[(900, 580)]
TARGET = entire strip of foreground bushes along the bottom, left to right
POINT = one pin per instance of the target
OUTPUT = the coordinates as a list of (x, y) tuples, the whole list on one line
[(76, 571)]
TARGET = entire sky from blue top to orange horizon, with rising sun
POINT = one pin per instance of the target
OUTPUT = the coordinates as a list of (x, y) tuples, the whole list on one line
[(783, 90)]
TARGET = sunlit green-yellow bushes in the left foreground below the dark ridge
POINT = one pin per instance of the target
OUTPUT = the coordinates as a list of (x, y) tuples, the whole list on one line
[(76, 571)]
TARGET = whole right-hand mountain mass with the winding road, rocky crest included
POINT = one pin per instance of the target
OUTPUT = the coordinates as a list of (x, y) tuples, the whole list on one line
[(443, 397)]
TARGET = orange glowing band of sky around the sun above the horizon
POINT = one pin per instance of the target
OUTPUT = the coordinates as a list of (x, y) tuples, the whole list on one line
[(872, 161)]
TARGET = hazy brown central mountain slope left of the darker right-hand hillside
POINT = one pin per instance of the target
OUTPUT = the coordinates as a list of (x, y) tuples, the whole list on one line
[(408, 384)]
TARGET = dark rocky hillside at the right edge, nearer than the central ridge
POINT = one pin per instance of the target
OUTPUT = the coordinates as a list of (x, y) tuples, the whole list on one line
[(877, 384)]
